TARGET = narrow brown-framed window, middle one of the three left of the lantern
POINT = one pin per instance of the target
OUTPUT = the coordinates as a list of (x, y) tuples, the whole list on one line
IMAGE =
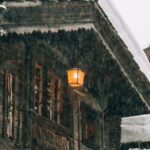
[(38, 89)]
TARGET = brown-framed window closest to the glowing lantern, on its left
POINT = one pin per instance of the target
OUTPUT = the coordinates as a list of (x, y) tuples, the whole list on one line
[(54, 97)]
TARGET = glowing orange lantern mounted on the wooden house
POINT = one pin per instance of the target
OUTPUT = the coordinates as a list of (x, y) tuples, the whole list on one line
[(75, 77)]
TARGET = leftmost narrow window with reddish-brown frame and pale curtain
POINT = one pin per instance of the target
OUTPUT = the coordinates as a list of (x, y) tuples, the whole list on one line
[(9, 104)]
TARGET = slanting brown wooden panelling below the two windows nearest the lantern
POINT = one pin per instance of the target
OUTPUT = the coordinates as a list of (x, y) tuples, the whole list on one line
[(49, 134)]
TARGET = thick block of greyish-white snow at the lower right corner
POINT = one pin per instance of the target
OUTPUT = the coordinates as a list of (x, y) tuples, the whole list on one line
[(135, 129)]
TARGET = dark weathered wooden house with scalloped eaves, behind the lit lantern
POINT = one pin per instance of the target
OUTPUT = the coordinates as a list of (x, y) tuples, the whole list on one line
[(38, 109)]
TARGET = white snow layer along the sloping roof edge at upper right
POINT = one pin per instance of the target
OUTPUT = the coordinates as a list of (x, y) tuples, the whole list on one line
[(125, 34)]
